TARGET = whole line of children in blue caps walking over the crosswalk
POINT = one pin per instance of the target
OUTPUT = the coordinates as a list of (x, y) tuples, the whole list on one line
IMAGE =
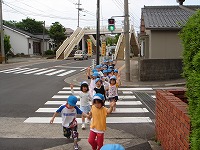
[(104, 84)]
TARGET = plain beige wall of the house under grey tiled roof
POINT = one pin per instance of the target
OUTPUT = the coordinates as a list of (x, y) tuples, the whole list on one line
[(164, 45)]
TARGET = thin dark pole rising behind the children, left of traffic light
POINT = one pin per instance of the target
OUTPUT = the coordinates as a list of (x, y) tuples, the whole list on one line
[(98, 32)]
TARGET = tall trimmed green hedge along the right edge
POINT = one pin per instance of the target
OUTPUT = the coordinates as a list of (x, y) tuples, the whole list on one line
[(190, 36)]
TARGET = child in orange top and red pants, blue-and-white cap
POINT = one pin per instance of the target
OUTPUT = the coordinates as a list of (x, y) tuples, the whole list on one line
[(98, 114)]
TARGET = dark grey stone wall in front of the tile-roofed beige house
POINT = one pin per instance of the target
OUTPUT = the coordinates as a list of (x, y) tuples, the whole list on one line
[(159, 69)]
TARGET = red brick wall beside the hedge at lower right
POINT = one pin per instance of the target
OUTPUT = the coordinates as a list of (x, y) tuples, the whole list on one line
[(172, 120)]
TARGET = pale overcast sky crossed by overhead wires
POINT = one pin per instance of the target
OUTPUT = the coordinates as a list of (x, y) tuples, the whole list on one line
[(65, 11)]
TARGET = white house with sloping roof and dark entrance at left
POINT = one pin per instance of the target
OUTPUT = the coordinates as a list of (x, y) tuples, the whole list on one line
[(27, 43)]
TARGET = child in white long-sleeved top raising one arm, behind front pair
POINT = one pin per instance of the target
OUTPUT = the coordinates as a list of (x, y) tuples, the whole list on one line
[(85, 99)]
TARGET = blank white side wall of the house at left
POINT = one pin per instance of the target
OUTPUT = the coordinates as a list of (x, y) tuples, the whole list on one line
[(19, 42)]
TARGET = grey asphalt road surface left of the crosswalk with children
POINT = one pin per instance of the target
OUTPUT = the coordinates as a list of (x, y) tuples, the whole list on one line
[(22, 94)]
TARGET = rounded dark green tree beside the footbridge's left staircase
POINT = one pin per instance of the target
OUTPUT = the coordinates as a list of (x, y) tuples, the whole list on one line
[(57, 32)]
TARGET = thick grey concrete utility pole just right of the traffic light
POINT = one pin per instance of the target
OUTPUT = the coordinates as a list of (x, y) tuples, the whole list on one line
[(127, 41)]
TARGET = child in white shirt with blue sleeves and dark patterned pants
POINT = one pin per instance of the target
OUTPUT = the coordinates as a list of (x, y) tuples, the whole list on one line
[(68, 113)]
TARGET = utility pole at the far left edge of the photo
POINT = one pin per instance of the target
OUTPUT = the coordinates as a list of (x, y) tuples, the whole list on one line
[(2, 34)]
